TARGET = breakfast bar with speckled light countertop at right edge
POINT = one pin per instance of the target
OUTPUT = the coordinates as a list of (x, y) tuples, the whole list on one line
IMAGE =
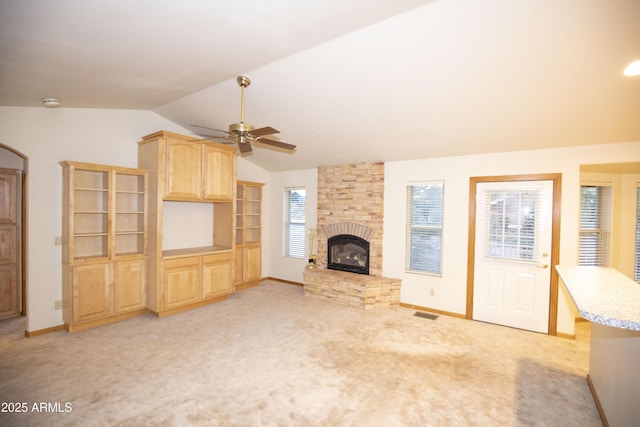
[(611, 302)]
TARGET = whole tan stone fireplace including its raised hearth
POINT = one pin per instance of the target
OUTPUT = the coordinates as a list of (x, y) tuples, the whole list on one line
[(350, 227)]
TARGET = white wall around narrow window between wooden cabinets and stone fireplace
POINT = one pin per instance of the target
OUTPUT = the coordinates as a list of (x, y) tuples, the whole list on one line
[(277, 265)]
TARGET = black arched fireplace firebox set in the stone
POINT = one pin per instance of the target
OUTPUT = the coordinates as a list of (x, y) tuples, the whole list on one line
[(348, 253)]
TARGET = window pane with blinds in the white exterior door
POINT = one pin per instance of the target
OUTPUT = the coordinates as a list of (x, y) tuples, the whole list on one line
[(511, 224)]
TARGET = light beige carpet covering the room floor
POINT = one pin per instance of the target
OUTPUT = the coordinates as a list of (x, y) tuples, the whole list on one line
[(269, 356)]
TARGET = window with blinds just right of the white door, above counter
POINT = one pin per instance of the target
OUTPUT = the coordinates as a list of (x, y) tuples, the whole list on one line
[(596, 206)]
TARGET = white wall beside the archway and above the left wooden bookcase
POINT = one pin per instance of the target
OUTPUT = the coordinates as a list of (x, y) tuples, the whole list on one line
[(46, 137)]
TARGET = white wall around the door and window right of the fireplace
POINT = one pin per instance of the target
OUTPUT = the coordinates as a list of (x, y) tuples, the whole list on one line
[(450, 289)]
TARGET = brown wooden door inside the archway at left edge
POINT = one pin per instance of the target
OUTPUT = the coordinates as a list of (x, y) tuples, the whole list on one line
[(9, 244)]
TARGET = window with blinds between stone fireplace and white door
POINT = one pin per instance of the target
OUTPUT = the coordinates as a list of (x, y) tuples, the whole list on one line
[(425, 211)]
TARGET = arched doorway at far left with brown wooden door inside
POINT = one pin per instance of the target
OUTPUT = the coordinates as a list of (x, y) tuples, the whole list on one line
[(13, 223)]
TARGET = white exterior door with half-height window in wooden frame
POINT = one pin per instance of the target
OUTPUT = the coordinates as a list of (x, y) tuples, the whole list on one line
[(512, 273)]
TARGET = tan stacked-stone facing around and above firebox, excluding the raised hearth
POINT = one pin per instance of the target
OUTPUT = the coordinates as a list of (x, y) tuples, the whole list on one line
[(352, 194)]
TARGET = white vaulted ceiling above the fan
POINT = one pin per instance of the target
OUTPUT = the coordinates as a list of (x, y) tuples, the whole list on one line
[(344, 80)]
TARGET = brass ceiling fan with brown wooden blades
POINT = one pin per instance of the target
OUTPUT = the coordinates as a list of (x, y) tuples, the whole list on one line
[(243, 133)]
